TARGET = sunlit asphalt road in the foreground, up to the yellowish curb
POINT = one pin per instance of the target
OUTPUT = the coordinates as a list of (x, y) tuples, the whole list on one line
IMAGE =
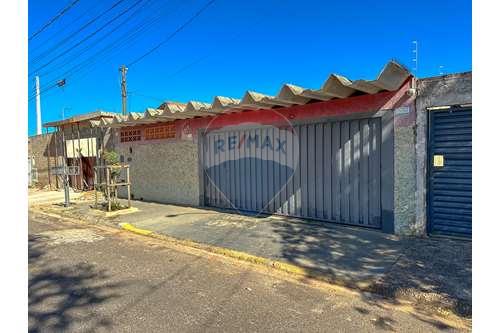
[(87, 279)]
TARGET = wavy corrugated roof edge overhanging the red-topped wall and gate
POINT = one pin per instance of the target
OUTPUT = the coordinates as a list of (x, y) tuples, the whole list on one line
[(391, 78)]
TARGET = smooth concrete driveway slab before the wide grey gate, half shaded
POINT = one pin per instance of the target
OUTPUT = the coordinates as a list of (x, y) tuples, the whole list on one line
[(350, 256)]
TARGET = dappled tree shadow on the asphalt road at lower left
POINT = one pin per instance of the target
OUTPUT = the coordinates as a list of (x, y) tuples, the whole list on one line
[(61, 295)]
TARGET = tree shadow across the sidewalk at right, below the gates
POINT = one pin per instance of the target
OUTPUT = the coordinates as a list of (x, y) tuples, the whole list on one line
[(435, 272)]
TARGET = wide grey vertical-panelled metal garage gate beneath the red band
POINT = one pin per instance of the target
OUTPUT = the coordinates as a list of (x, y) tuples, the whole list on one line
[(339, 171)]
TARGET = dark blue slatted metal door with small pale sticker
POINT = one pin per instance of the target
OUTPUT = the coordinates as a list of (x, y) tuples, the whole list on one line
[(450, 172)]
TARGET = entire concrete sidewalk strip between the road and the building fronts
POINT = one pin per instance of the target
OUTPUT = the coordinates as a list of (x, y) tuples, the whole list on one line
[(435, 271)]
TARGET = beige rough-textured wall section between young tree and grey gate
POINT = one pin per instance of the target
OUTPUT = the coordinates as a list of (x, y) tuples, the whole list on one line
[(163, 171)]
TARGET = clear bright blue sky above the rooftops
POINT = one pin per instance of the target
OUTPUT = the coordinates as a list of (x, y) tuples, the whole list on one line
[(232, 47)]
